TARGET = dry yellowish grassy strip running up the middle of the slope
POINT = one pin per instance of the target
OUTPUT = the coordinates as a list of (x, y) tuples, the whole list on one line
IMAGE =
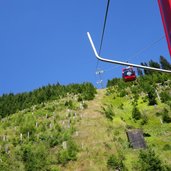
[(91, 137)]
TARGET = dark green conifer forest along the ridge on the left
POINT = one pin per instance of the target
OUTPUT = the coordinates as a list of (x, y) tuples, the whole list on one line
[(10, 103)]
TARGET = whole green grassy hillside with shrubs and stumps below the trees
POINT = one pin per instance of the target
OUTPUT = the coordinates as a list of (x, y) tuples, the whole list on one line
[(75, 134)]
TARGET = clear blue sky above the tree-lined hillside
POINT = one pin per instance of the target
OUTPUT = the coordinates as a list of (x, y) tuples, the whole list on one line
[(44, 41)]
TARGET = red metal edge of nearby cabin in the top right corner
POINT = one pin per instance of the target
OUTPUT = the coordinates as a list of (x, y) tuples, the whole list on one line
[(165, 10)]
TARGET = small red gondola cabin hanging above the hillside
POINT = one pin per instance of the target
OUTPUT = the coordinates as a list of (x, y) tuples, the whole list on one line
[(128, 74)]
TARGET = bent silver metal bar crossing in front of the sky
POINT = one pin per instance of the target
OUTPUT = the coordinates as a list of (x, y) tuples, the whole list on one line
[(122, 63)]
